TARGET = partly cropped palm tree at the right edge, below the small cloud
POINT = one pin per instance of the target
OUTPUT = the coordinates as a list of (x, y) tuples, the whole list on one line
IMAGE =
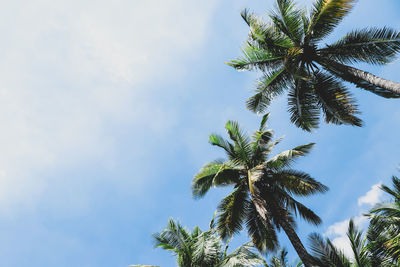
[(385, 222)]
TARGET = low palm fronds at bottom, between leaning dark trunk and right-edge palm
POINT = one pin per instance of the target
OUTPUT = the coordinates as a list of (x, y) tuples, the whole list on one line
[(362, 253)]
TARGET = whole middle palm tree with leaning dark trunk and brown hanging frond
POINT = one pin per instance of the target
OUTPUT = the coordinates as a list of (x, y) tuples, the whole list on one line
[(263, 188)]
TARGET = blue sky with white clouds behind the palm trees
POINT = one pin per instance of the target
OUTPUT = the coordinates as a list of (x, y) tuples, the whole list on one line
[(106, 109)]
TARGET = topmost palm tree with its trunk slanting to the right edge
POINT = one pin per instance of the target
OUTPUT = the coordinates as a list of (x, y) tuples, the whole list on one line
[(288, 52)]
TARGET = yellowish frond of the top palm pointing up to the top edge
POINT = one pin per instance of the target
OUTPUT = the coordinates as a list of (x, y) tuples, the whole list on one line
[(325, 16)]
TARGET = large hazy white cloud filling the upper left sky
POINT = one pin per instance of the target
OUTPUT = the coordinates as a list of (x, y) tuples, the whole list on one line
[(69, 68)]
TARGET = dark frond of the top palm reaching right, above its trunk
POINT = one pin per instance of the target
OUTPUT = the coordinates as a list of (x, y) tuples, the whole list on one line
[(371, 45)]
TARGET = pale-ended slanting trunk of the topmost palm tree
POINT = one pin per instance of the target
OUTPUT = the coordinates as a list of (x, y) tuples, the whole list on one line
[(394, 87)]
